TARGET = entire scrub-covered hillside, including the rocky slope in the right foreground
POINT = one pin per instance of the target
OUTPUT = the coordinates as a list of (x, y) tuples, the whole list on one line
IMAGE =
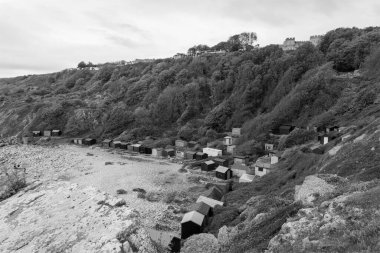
[(311, 202)]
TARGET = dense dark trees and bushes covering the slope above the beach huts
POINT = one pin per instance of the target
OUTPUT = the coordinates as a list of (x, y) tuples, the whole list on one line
[(196, 98)]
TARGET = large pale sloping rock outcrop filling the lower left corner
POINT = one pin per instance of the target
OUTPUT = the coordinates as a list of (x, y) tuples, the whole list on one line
[(65, 217)]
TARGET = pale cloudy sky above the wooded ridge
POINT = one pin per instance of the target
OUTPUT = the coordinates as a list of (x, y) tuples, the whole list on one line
[(43, 36)]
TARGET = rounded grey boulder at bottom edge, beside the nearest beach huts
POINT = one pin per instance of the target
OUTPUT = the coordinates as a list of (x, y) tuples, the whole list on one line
[(201, 243)]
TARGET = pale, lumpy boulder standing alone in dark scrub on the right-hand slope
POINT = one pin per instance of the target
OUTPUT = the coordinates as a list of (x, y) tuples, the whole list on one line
[(312, 188)]
